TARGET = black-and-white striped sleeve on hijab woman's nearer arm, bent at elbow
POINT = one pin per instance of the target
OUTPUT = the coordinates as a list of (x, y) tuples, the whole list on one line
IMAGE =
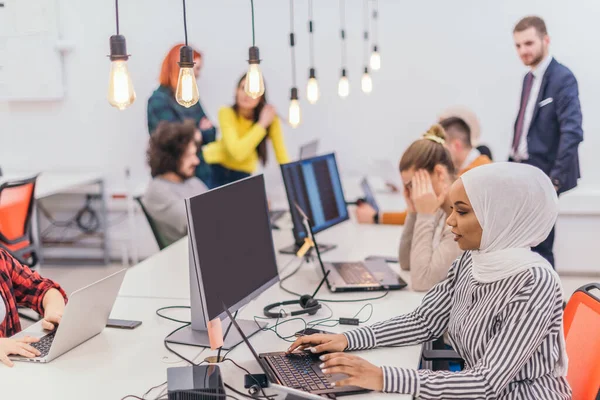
[(529, 318)]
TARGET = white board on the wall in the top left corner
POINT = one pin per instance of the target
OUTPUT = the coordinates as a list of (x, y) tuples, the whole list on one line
[(30, 63)]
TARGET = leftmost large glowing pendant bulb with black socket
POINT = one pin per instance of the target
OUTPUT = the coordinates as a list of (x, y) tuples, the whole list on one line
[(120, 87)]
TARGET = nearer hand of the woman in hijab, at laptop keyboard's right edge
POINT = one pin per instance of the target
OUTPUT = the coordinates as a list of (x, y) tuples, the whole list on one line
[(360, 372)]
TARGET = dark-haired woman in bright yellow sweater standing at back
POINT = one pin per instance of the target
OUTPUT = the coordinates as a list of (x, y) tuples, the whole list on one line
[(245, 129)]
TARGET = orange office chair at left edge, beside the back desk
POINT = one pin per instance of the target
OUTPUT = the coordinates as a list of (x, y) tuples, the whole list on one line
[(16, 208)]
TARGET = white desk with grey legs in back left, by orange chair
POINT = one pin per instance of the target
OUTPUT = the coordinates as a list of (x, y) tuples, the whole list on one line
[(52, 183)]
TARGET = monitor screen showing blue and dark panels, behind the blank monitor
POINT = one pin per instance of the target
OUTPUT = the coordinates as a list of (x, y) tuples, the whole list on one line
[(314, 184)]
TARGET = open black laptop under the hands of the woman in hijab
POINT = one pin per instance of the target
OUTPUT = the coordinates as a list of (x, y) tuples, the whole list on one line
[(297, 370)]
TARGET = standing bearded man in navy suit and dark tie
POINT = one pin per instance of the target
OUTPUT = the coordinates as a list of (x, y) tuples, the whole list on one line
[(548, 127)]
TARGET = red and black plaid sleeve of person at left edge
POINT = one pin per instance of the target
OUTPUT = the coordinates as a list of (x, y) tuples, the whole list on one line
[(28, 286)]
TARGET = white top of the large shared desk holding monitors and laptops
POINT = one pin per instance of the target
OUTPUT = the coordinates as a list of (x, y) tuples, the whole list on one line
[(121, 362)]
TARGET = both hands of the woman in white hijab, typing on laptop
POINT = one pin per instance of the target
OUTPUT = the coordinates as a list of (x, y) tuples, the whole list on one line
[(359, 372)]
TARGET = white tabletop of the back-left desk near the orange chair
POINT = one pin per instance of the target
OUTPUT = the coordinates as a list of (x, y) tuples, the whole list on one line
[(51, 183)]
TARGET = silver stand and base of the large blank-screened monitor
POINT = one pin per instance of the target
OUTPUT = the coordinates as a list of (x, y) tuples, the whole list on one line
[(196, 334)]
